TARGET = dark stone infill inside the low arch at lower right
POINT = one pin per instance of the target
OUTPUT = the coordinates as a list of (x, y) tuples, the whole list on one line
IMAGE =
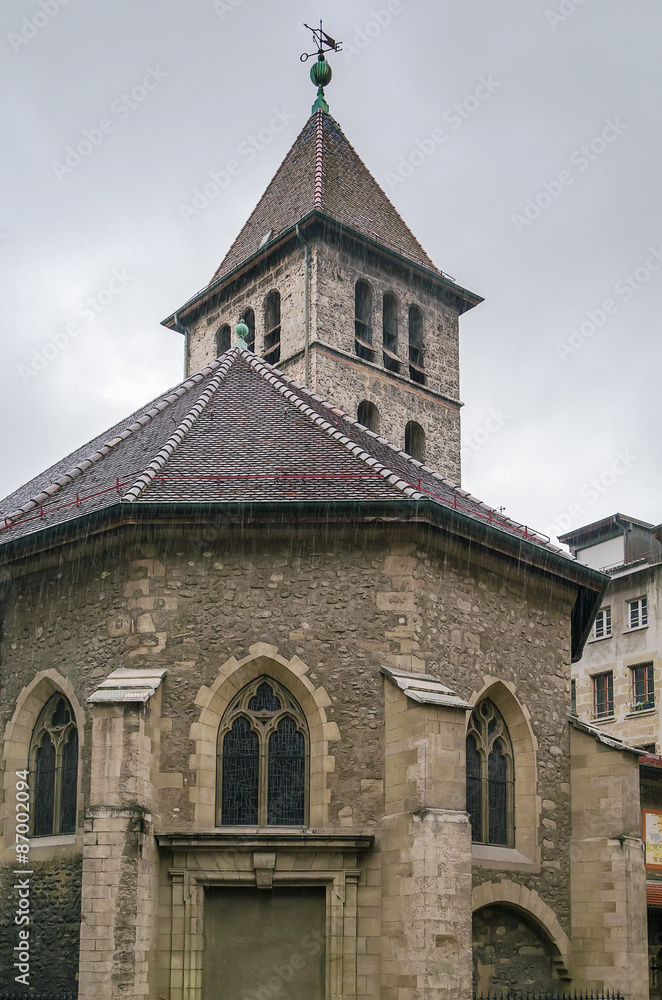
[(509, 952)]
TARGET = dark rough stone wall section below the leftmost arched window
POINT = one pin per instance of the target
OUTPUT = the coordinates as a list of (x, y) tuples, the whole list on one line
[(55, 899)]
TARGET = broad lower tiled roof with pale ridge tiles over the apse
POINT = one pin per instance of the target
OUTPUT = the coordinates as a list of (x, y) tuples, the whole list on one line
[(238, 431)]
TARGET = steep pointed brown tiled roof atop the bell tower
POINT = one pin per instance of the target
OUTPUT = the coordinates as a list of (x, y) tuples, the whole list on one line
[(323, 171)]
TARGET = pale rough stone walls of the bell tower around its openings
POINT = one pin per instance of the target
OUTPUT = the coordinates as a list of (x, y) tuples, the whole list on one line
[(335, 371)]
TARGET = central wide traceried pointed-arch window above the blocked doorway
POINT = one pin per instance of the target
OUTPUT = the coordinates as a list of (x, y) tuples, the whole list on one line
[(263, 759)]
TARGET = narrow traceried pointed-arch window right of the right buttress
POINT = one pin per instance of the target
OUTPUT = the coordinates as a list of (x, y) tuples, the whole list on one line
[(490, 777)]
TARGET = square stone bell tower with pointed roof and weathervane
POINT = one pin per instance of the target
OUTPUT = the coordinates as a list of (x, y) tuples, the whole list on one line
[(338, 293)]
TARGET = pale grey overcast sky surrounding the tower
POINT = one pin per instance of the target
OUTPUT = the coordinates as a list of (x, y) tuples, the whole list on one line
[(543, 196)]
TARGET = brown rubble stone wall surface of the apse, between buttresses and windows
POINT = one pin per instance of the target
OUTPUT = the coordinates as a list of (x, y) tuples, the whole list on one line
[(344, 602)]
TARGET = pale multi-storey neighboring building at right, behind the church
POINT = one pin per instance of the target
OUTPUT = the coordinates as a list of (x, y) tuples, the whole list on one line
[(617, 683)]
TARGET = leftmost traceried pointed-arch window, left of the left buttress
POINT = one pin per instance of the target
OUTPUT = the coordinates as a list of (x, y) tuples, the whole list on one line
[(54, 769)]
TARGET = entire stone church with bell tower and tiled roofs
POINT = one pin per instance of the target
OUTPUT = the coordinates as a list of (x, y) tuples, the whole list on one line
[(285, 710)]
